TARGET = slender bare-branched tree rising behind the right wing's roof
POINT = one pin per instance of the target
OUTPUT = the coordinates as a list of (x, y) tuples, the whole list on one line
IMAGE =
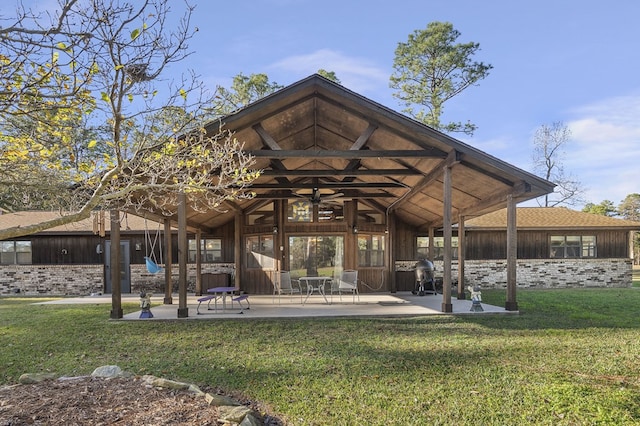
[(549, 143)]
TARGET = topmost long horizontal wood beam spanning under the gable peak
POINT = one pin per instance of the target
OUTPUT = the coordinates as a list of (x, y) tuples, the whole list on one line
[(349, 154)]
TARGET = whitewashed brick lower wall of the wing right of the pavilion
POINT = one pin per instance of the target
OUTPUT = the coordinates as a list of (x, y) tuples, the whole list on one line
[(541, 273)]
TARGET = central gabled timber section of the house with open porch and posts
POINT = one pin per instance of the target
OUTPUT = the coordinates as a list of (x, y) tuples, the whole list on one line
[(346, 183)]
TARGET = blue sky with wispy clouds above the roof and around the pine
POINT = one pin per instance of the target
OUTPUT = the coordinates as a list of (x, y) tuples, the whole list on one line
[(574, 61)]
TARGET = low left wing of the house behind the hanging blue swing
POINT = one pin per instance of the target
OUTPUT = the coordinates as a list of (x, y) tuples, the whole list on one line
[(74, 259)]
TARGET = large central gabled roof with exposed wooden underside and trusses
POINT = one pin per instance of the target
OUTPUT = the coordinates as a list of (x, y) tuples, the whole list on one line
[(318, 138)]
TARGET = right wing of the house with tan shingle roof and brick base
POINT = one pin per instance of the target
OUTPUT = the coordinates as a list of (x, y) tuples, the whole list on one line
[(557, 247)]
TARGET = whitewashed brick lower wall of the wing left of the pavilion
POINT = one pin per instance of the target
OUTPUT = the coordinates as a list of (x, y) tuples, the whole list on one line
[(82, 280)]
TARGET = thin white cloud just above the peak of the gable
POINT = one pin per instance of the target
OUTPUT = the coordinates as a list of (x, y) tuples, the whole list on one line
[(357, 74)]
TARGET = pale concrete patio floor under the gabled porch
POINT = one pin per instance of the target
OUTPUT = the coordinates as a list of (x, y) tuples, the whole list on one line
[(266, 306)]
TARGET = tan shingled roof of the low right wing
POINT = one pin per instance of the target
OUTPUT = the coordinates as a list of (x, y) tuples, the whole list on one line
[(562, 218)]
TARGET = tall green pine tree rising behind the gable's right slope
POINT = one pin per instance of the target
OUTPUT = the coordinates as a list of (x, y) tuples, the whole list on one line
[(431, 68)]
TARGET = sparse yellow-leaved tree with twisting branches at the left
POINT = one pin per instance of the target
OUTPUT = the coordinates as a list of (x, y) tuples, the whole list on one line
[(102, 60)]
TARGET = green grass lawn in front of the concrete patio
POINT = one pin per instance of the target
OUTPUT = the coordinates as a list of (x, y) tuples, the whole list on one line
[(571, 358)]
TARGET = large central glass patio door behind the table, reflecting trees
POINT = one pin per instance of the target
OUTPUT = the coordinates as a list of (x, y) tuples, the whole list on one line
[(312, 256)]
